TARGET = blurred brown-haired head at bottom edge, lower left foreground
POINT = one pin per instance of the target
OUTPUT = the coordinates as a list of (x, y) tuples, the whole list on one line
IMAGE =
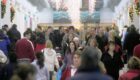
[(25, 72)]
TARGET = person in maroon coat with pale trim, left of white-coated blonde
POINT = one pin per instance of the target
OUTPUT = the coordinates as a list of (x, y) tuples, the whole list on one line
[(25, 49)]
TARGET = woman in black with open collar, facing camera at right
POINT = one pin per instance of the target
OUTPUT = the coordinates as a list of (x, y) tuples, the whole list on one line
[(112, 61)]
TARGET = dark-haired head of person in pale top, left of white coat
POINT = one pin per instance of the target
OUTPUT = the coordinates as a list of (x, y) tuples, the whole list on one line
[(40, 59)]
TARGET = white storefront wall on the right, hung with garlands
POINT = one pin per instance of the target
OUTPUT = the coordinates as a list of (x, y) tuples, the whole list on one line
[(127, 13)]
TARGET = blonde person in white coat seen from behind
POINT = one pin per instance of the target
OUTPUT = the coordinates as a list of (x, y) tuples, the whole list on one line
[(50, 58)]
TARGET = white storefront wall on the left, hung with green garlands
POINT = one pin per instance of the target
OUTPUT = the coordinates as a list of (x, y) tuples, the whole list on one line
[(18, 12)]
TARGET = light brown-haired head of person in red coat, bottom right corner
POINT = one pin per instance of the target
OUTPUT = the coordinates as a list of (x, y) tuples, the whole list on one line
[(134, 63)]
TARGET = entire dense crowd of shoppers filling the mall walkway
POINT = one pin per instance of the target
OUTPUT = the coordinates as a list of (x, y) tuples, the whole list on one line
[(92, 53)]
